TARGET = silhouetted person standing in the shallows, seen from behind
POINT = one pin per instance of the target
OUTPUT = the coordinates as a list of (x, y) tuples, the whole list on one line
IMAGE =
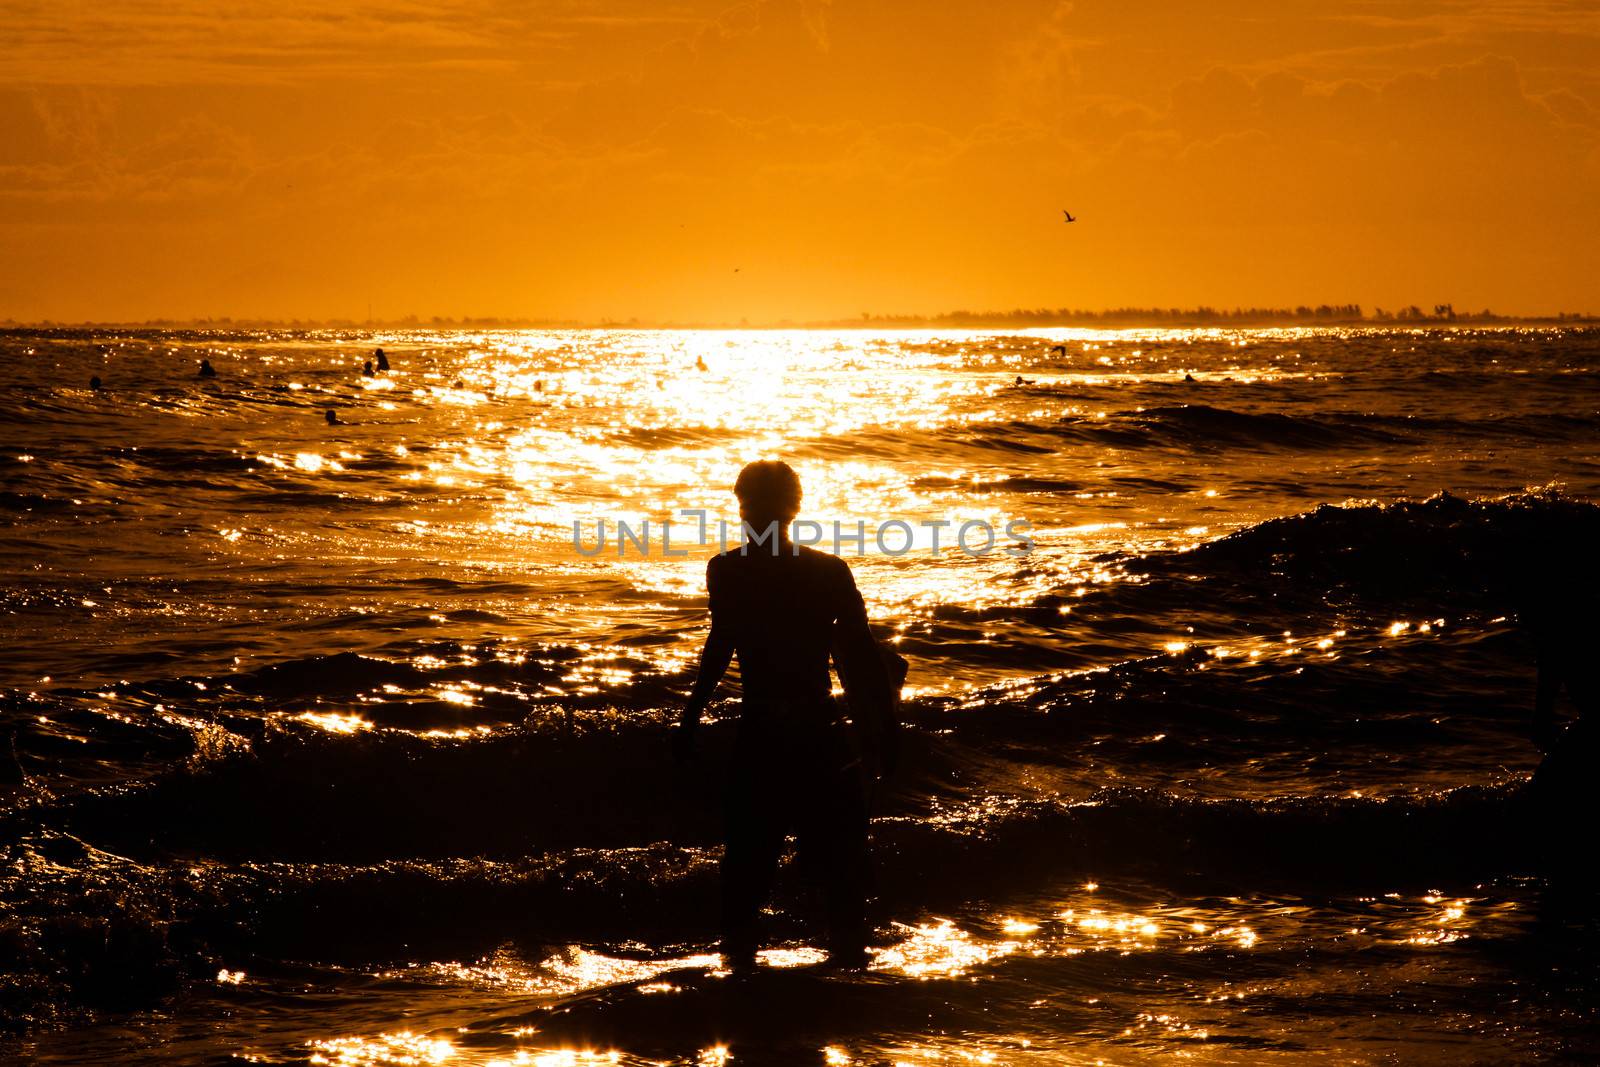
[(798, 765)]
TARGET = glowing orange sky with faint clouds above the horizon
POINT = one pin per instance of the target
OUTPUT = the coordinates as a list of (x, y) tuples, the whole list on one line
[(582, 159)]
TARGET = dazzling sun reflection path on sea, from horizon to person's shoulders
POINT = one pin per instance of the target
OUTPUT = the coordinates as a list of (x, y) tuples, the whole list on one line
[(514, 436)]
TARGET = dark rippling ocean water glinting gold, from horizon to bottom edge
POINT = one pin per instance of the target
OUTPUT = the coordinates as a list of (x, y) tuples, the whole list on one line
[(332, 746)]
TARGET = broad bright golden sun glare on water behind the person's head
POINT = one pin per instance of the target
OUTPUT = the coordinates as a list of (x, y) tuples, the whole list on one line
[(636, 434)]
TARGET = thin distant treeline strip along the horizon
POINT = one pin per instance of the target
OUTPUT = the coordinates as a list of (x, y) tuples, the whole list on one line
[(1015, 319)]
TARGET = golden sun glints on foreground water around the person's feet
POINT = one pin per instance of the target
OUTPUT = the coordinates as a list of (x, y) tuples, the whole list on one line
[(980, 948)]
